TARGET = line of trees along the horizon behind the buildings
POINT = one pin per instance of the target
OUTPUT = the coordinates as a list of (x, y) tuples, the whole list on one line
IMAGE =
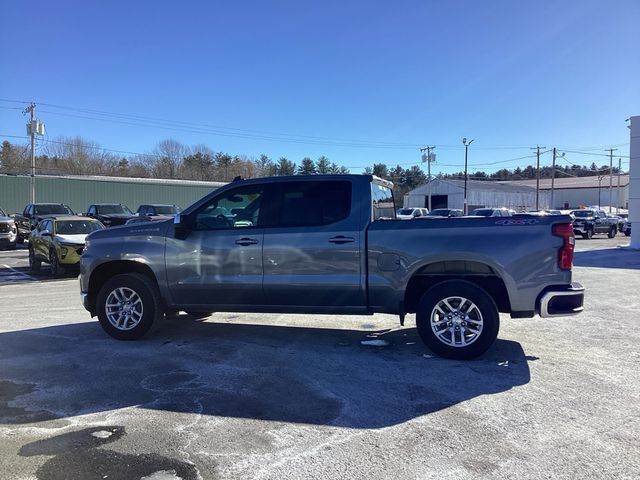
[(174, 160)]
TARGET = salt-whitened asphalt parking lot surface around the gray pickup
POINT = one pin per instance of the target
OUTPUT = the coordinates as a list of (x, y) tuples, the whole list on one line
[(258, 396)]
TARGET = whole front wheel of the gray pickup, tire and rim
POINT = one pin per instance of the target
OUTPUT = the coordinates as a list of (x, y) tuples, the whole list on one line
[(127, 306)]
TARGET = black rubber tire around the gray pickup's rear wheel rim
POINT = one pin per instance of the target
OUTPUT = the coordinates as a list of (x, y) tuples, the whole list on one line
[(485, 307)]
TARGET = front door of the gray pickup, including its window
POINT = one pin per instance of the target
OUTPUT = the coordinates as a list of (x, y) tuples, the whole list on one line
[(219, 263)]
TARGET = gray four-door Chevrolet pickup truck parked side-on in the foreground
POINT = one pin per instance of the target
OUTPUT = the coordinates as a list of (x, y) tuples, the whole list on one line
[(321, 244)]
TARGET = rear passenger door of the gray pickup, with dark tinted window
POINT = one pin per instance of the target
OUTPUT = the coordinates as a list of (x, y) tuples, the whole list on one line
[(312, 252)]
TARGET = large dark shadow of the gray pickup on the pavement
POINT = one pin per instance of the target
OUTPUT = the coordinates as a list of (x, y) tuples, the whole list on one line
[(296, 374)]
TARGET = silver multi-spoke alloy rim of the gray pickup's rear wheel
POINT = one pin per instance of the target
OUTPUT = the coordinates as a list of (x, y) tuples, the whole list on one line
[(456, 321)]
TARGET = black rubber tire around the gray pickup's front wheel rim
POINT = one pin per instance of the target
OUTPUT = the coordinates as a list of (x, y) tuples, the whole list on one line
[(148, 294)]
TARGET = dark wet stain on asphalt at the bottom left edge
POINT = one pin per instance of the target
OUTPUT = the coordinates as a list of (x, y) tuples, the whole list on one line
[(76, 456)]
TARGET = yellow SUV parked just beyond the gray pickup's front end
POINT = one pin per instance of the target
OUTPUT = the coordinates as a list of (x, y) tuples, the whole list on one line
[(59, 242)]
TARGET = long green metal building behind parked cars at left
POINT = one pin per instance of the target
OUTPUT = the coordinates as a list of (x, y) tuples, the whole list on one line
[(80, 191)]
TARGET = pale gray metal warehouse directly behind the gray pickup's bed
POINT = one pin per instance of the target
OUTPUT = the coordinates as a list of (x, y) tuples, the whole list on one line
[(450, 194)]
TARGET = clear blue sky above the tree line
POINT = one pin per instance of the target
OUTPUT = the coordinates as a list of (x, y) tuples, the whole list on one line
[(369, 81)]
